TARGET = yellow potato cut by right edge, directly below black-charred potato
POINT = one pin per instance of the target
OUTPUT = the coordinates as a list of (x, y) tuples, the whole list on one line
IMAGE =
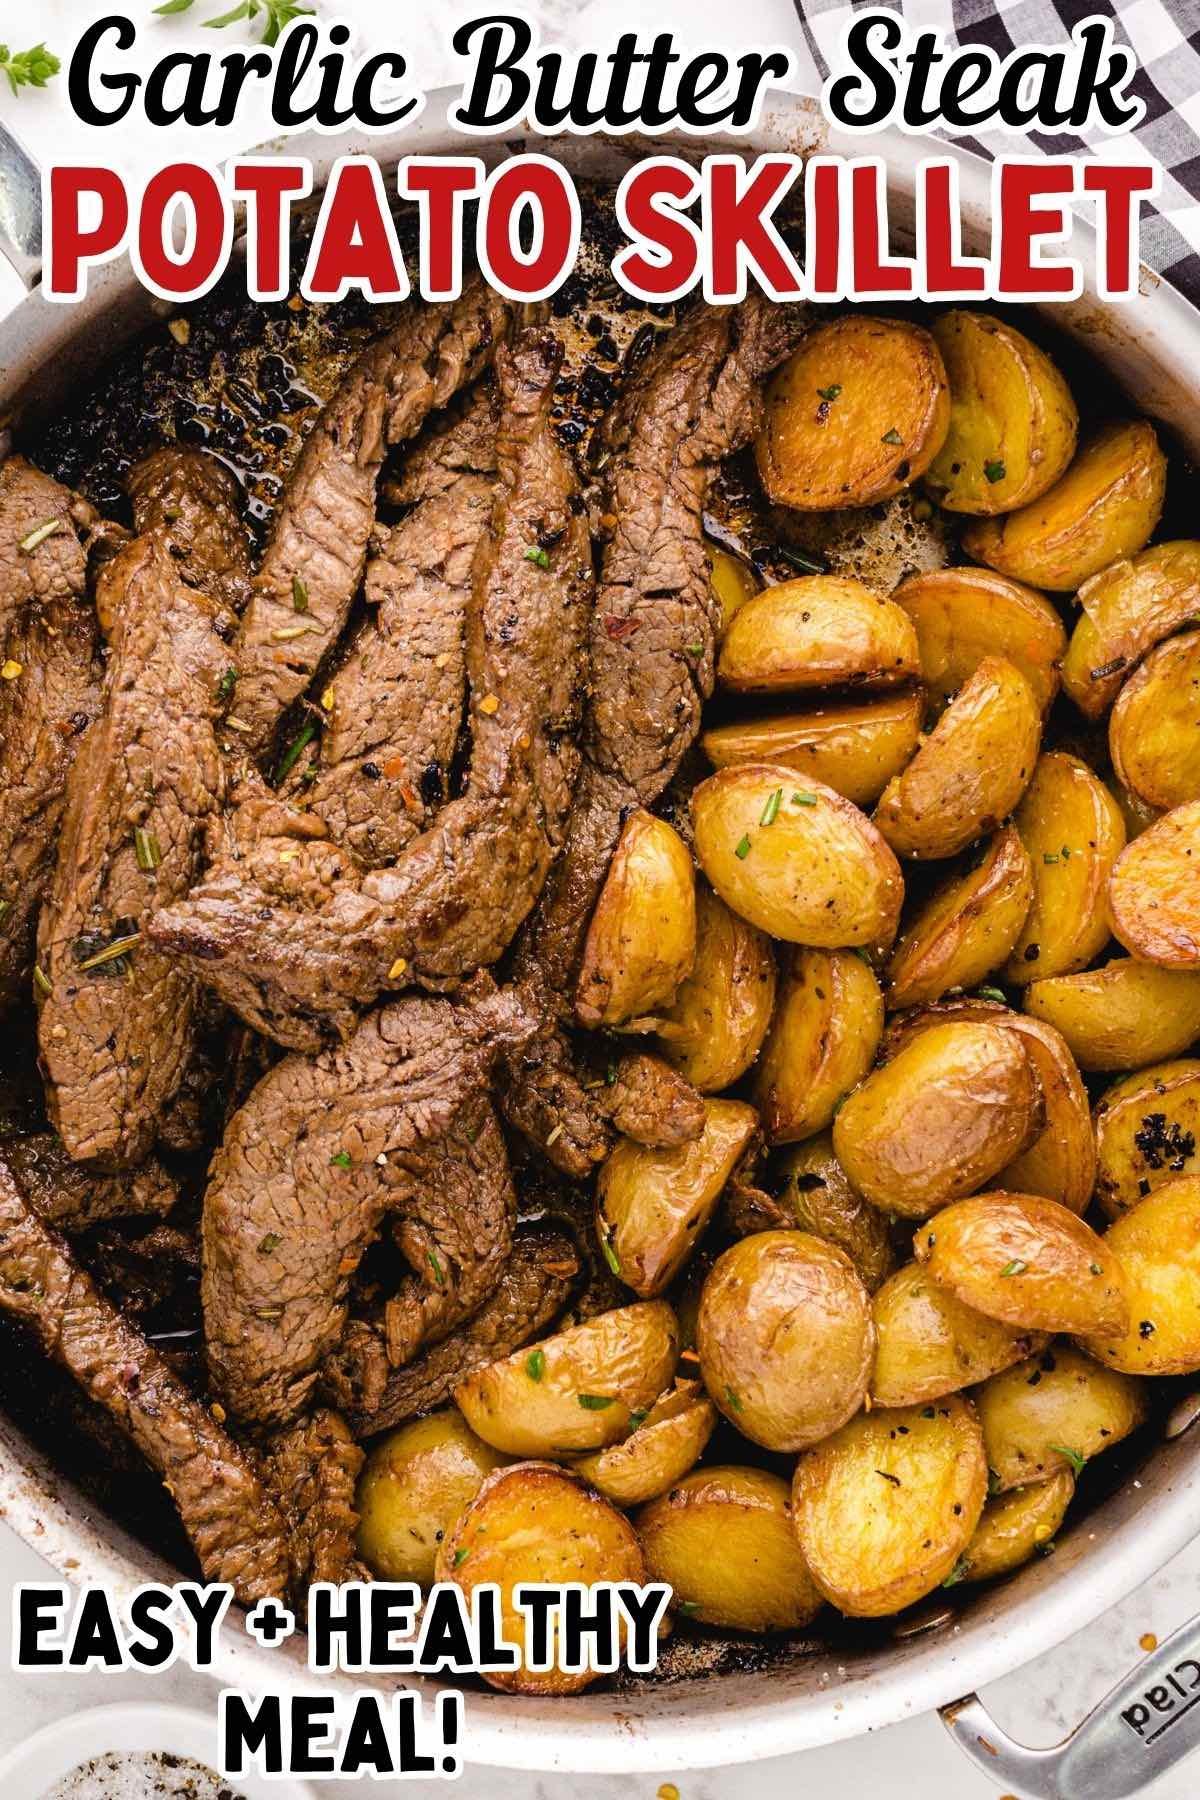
[(1160, 1250)]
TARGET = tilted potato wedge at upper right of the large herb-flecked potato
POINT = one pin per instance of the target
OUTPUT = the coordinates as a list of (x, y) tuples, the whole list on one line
[(971, 771)]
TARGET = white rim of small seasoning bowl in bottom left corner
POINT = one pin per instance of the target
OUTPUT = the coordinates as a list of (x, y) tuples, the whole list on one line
[(139, 1727)]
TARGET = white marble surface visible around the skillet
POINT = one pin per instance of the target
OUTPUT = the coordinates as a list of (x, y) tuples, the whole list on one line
[(911, 1761)]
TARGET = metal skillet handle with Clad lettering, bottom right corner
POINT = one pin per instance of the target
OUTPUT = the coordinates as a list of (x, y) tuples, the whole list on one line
[(1143, 1729)]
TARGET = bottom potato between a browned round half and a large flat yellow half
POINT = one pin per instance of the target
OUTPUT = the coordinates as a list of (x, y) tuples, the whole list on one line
[(724, 1542)]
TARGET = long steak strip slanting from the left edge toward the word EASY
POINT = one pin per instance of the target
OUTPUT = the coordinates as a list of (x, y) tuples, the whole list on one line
[(229, 1516)]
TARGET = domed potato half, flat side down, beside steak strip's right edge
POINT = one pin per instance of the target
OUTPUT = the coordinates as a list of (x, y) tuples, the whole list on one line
[(821, 631)]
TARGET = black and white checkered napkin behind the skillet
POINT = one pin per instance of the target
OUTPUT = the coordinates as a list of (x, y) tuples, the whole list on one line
[(1165, 37)]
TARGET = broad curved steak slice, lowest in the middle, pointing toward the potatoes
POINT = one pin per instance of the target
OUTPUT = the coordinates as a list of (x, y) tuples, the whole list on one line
[(307, 1171)]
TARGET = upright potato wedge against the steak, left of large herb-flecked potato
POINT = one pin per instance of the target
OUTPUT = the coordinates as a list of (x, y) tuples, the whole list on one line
[(643, 937)]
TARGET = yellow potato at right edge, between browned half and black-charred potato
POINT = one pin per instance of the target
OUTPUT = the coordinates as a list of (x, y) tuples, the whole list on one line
[(1122, 1016)]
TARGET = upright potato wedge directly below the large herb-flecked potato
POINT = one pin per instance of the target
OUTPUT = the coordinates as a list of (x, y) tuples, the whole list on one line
[(821, 1043)]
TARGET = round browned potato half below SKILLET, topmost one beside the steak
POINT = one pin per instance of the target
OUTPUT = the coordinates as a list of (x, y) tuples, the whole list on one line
[(859, 413)]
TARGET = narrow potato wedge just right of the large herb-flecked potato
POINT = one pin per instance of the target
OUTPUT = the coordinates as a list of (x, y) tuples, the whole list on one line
[(965, 930)]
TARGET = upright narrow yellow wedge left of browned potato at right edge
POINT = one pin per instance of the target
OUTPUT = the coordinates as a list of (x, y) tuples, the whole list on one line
[(1073, 831)]
